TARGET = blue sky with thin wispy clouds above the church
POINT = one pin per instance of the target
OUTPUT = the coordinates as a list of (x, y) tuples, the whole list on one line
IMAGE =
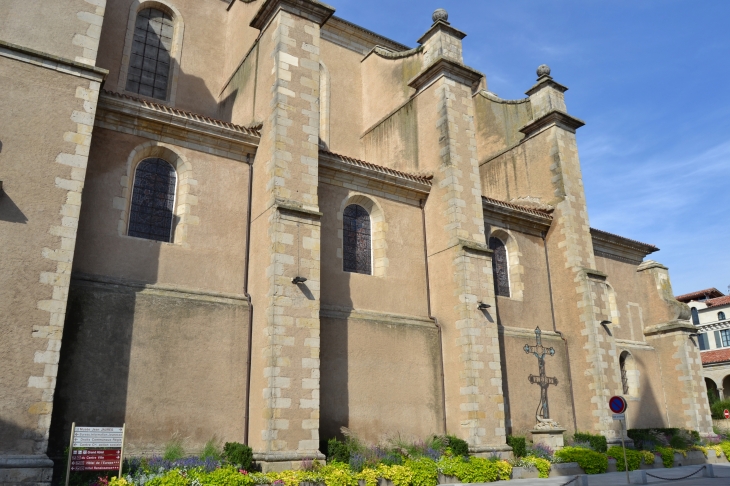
[(651, 79)]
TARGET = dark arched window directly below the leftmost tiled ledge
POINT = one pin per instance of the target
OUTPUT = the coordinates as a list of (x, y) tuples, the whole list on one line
[(153, 200)]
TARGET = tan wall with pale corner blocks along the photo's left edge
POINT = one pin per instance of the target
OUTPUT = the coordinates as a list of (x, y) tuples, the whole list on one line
[(50, 88)]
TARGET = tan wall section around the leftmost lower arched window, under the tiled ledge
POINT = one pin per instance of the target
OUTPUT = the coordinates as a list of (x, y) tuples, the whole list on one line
[(211, 254)]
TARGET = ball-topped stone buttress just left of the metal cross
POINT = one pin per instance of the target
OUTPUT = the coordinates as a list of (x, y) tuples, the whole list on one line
[(459, 261)]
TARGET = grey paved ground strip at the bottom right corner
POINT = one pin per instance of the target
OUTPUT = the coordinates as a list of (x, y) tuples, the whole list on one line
[(722, 473)]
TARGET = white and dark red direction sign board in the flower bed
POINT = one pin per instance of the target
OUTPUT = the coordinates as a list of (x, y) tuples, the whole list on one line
[(95, 449)]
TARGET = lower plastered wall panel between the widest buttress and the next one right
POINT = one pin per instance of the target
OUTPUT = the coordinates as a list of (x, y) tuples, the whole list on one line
[(381, 375)]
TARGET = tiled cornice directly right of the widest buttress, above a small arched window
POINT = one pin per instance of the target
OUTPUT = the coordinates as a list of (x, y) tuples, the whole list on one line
[(382, 175)]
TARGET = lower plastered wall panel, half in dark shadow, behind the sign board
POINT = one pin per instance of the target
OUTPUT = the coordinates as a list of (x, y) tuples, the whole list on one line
[(164, 360)]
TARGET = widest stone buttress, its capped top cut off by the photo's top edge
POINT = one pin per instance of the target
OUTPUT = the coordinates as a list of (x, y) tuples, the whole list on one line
[(284, 405)]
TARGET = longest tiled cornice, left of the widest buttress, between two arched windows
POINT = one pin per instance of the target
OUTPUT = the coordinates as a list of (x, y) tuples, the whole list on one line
[(157, 122)]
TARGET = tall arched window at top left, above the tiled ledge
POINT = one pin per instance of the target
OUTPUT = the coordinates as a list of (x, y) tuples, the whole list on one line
[(149, 61)]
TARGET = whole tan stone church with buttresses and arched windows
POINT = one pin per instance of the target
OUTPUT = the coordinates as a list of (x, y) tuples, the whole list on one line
[(255, 220)]
